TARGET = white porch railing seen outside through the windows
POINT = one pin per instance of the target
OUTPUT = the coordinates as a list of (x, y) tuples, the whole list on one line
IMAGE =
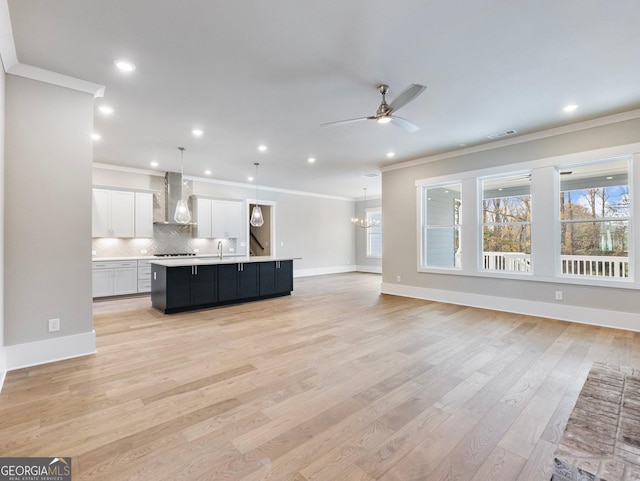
[(601, 266)]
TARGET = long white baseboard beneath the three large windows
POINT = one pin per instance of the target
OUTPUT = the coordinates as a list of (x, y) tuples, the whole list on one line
[(629, 321)]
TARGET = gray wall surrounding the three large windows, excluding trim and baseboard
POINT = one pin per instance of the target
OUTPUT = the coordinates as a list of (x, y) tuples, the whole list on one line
[(400, 249)]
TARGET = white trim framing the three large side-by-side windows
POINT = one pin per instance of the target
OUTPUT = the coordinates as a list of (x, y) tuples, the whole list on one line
[(544, 269)]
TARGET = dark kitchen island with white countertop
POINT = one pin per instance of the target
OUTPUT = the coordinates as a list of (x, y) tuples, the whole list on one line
[(186, 284)]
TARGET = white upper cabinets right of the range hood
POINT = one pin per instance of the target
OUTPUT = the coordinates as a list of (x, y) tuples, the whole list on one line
[(218, 219)]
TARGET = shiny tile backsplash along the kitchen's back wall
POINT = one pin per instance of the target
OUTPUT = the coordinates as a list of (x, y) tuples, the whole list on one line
[(167, 239)]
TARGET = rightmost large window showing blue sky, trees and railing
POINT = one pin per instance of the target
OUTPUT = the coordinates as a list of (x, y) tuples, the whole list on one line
[(594, 219)]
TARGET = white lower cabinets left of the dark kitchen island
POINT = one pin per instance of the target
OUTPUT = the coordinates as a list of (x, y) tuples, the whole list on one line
[(114, 278)]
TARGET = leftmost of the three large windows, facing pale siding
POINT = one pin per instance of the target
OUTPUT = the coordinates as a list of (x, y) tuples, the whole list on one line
[(441, 225)]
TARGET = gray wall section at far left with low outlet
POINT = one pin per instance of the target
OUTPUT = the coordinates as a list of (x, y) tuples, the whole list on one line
[(48, 210)]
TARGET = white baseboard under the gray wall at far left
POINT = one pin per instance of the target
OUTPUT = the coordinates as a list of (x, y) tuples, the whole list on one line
[(50, 350)]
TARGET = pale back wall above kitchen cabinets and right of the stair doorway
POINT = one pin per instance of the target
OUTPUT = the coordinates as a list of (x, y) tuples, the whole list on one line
[(315, 228)]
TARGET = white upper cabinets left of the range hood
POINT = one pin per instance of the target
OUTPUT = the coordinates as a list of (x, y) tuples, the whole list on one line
[(121, 213)]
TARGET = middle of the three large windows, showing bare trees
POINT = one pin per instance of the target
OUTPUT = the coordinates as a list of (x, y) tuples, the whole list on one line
[(506, 223)]
